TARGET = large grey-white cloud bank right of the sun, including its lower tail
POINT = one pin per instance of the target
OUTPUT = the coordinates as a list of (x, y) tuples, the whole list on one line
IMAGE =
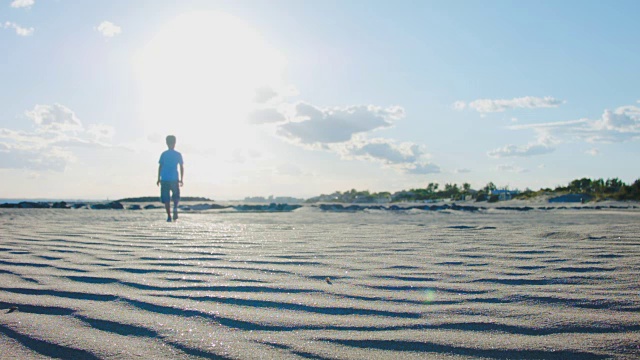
[(344, 130)]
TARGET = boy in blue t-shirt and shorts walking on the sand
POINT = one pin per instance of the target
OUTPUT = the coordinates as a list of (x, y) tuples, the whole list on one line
[(168, 179)]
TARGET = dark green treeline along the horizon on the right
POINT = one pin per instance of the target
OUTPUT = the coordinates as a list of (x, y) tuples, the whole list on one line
[(597, 189)]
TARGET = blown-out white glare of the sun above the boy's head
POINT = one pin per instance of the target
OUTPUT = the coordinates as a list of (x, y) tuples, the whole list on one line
[(198, 77)]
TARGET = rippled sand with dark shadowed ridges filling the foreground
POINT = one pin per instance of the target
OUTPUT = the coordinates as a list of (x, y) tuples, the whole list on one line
[(559, 284)]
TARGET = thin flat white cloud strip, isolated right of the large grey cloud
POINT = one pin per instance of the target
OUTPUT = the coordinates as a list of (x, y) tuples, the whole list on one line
[(500, 105)]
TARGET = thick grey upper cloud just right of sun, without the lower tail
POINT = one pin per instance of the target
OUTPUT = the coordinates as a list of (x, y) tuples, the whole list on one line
[(312, 125)]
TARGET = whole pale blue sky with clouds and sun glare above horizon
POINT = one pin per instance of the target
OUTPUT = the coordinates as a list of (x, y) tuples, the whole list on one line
[(301, 98)]
